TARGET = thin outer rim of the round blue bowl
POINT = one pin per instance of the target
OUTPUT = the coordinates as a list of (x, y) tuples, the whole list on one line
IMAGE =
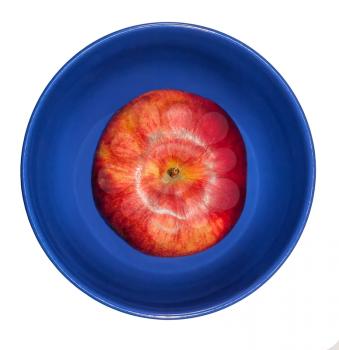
[(279, 261)]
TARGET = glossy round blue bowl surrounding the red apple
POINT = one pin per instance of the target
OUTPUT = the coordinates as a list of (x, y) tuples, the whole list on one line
[(62, 136)]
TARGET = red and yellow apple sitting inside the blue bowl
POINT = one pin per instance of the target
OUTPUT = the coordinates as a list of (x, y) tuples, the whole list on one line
[(169, 173)]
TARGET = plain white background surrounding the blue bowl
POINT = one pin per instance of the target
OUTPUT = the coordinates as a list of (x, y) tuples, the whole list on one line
[(298, 308)]
